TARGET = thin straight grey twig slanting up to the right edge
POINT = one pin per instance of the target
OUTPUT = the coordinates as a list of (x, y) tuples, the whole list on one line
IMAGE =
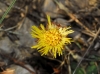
[(87, 51)]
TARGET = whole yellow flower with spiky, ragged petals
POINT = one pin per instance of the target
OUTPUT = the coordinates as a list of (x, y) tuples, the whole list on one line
[(51, 39)]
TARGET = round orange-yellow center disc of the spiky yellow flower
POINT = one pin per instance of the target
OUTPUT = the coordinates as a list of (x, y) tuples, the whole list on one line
[(52, 37)]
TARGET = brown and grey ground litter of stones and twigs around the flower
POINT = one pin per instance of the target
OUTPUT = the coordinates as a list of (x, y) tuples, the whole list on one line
[(80, 57)]
